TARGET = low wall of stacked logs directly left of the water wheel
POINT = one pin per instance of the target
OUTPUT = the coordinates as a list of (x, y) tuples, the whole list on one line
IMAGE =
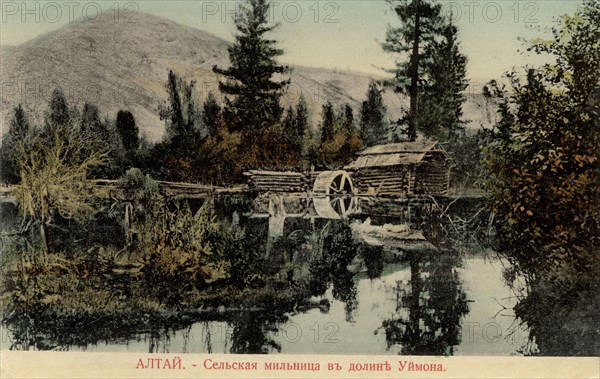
[(276, 181)]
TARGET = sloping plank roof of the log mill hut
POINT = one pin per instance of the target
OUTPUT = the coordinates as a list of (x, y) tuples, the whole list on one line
[(394, 154)]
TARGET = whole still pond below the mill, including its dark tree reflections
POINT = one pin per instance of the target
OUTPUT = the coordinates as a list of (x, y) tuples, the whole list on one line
[(389, 282)]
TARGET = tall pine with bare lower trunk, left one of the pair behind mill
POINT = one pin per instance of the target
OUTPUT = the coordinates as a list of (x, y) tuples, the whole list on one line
[(421, 25)]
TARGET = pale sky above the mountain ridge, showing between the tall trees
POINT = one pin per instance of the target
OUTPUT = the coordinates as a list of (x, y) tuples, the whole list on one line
[(343, 35)]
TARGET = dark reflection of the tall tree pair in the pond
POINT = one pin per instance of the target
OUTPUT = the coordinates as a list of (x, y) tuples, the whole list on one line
[(434, 306)]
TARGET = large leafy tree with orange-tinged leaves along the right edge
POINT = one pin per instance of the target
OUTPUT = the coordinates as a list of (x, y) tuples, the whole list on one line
[(544, 158)]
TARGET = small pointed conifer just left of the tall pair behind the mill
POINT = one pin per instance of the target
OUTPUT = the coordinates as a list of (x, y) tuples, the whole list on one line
[(373, 122)]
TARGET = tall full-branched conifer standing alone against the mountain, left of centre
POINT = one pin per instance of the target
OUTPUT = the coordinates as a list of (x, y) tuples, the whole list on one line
[(254, 102)]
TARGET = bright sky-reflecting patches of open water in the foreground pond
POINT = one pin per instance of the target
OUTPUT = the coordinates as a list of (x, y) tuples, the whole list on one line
[(484, 331)]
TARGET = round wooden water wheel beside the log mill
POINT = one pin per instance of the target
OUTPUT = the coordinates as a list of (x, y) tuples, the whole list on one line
[(333, 194)]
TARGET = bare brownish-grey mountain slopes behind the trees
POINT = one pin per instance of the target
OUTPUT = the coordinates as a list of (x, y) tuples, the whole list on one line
[(124, 65)]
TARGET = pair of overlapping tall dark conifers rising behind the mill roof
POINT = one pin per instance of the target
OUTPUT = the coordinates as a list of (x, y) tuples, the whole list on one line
[(432, 72)]
